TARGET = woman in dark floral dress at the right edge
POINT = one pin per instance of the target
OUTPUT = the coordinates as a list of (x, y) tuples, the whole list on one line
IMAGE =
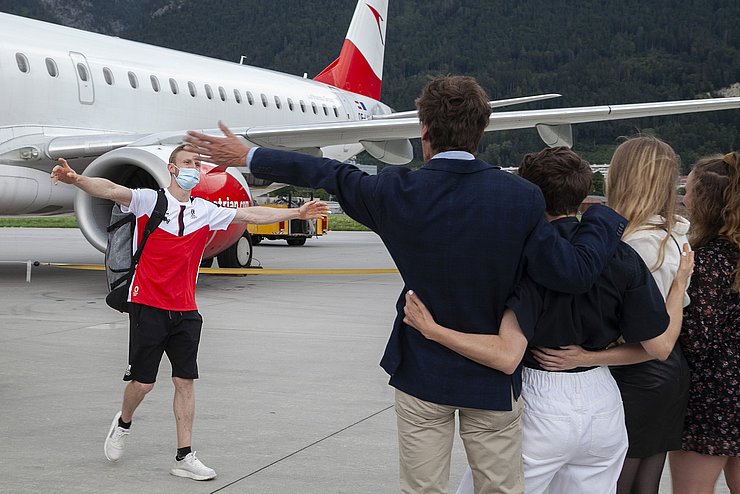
[(710, 337)]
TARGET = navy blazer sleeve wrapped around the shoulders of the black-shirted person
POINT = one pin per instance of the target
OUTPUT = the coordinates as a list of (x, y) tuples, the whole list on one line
[(572, 266)]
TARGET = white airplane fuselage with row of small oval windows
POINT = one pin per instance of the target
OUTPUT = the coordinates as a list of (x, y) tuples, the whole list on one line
[(58, 83)]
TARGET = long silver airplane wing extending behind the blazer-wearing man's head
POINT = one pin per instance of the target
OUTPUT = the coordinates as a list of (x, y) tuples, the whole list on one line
[(553, 125)]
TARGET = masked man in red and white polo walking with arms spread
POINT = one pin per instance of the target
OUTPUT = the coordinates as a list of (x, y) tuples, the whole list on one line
[(163, 315)]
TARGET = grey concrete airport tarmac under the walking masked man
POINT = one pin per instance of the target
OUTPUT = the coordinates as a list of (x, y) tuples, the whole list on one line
[(290, 397)]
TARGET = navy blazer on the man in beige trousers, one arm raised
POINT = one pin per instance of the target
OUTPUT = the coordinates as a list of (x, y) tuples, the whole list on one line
[(461, 234)]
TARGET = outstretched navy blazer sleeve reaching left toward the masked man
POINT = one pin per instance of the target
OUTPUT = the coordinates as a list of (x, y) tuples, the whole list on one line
[(354, 188)]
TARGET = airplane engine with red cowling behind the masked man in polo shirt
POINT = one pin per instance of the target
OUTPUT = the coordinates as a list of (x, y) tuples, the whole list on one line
[(146, 167)]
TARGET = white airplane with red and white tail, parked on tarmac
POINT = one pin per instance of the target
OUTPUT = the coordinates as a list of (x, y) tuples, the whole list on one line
[(116, 108)]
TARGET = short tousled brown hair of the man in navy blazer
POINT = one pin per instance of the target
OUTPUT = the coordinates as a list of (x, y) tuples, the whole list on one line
[(455, 112)]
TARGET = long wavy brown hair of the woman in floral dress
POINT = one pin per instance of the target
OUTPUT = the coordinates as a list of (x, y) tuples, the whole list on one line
[(715, 208)]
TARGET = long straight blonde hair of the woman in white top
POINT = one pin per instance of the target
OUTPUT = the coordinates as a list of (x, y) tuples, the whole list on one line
[(642, 180)]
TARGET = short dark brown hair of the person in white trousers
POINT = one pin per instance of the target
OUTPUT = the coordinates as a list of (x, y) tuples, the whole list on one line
[(563, 176)]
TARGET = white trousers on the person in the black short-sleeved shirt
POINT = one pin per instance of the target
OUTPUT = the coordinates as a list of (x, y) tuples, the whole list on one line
[(575, 439)]
